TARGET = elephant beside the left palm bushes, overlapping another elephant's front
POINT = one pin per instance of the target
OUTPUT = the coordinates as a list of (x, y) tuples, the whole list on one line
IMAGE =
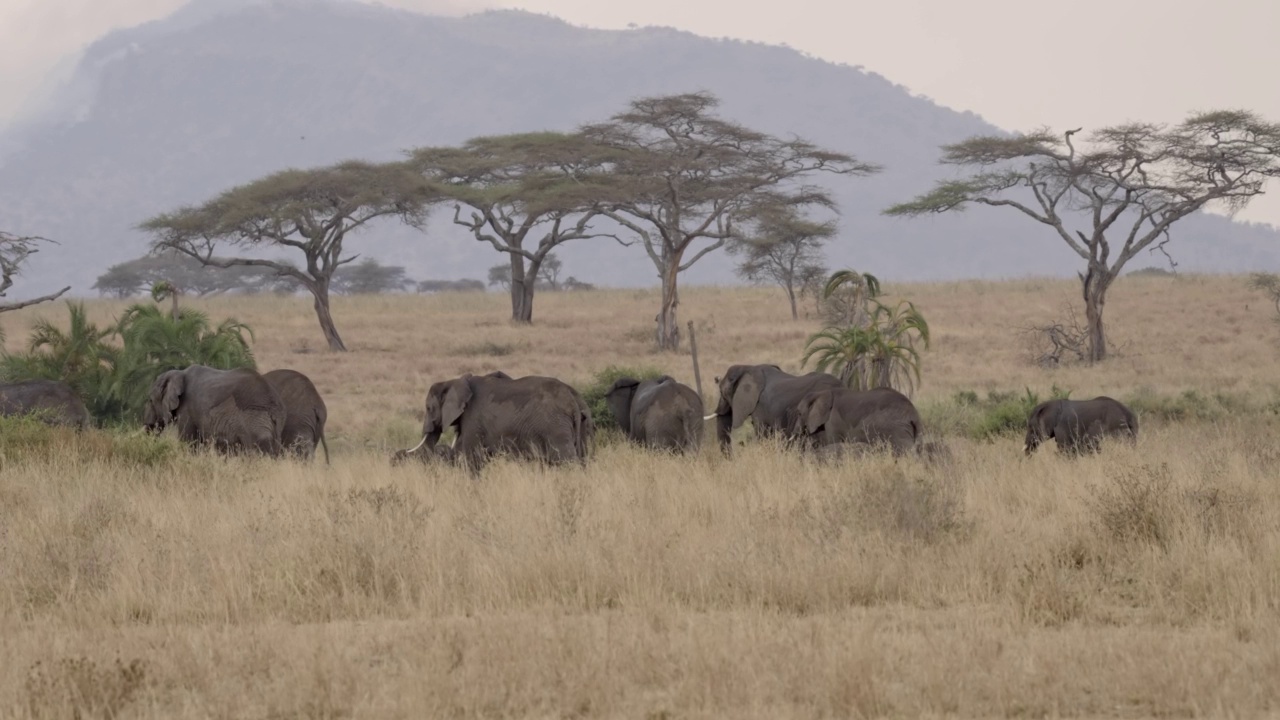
[(232, 411)]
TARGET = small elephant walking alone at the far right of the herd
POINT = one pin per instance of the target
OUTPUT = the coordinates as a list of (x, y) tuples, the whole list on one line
[(1078, 426)]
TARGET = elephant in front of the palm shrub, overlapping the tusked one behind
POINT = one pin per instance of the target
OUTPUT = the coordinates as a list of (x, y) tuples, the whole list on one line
[(866, 418)]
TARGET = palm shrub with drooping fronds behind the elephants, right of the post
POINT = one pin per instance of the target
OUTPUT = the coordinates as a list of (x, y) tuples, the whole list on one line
[(879, 348)]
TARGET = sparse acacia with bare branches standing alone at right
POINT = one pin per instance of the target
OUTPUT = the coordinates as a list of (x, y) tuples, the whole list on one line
[(1118, 194)]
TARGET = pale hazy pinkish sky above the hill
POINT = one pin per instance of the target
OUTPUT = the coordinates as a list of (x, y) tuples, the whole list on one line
[(1018, 63)]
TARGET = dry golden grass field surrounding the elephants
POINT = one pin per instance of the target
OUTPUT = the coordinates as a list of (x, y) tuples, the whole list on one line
[(1142, 582)]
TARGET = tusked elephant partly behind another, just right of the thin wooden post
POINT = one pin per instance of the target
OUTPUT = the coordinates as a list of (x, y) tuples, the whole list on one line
[(767, 397)]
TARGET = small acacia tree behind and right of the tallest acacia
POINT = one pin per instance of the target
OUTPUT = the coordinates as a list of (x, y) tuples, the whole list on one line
[(783, 248)]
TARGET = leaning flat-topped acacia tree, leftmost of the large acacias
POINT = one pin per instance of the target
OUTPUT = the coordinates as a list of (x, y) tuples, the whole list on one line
[(312, 212)]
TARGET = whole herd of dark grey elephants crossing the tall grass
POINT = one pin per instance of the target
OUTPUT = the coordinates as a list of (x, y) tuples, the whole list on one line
[(538, 418)]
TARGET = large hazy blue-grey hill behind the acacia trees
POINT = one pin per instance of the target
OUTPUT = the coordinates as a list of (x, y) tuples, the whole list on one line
[(222, 93)]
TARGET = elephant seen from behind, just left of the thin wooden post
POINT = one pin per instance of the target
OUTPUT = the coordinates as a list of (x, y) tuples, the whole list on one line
[(662, 413)]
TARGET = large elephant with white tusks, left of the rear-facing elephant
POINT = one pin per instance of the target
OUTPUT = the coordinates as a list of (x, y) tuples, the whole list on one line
[(532, 417)]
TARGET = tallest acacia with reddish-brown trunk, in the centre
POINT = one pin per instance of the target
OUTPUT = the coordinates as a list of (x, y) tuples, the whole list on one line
[(682, 175)]
